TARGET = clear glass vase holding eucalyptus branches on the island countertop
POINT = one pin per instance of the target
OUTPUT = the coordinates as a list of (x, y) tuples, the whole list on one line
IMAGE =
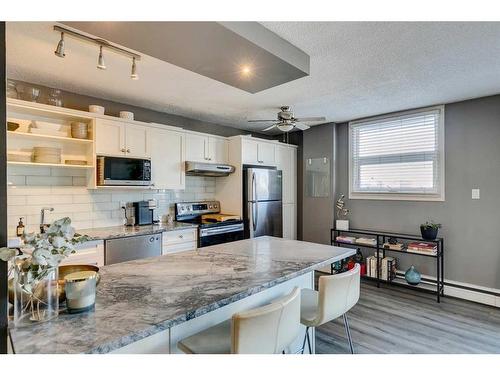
[(36, 297)]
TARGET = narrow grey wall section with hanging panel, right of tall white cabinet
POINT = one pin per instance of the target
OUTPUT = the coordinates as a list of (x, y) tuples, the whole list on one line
[(317, 213)]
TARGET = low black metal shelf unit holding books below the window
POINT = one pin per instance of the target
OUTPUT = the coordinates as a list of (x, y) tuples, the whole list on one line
[(381, 238)]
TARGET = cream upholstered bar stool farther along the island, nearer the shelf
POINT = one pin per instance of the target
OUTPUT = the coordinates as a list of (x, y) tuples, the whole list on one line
[(336, 295)]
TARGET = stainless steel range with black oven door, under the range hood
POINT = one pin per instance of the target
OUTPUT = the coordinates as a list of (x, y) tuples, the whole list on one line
[(213, 227)]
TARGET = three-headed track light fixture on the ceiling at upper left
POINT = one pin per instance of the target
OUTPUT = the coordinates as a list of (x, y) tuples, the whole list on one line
[(101, 43)]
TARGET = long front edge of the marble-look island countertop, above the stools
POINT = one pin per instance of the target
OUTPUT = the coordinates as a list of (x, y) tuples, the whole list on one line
[(159, 327)]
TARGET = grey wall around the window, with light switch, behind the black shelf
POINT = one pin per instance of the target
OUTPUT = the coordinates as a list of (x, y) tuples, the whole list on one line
[(471, 228)]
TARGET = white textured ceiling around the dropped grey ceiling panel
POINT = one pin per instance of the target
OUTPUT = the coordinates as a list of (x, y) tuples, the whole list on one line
[(357, 70)]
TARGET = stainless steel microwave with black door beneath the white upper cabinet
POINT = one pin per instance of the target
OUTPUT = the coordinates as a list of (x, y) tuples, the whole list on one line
[(116, 171)]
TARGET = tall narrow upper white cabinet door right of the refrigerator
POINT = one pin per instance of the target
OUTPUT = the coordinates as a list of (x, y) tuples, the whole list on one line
[(286, 161)]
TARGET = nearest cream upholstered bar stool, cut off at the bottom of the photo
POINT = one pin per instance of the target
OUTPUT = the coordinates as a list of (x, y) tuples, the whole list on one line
[(268, 329)]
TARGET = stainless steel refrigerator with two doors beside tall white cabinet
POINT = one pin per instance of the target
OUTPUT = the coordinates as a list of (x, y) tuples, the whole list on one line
[(262, 205)]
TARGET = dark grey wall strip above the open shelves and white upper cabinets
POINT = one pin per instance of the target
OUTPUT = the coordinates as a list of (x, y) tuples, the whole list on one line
[(82, 102)]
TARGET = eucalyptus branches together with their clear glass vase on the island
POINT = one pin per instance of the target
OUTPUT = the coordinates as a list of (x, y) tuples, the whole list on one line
[(35, 267)]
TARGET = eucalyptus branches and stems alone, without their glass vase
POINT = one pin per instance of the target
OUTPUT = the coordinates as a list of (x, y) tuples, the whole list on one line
[(37, 258)]
